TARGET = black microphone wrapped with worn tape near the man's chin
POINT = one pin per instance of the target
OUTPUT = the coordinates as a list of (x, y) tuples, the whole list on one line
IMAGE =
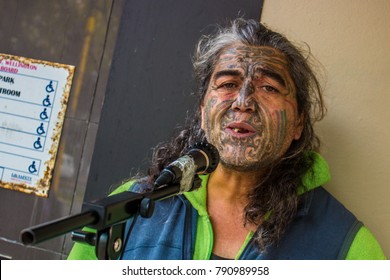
[(202, 158)]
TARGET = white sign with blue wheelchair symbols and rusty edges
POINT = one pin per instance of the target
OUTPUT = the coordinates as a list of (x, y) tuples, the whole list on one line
[(33, 99)]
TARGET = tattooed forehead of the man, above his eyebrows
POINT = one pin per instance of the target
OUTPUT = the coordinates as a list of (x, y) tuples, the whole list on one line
[(256, 61)]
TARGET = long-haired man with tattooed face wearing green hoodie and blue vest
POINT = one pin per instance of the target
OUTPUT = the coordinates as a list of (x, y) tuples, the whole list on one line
[(259, 99)]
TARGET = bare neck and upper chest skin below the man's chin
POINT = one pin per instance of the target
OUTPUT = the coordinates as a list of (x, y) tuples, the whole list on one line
[(227, 196)]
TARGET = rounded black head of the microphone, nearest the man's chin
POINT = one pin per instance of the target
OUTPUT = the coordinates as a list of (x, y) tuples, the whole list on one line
[(211, 156)]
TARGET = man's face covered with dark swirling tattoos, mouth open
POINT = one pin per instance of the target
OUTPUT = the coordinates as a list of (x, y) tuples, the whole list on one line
[(250, 110)]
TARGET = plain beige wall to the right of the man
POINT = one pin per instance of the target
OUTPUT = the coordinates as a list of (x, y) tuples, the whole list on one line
[(351, 38)]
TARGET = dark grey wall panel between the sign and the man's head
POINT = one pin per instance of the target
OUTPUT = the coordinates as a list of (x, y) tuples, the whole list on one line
[(150, 84)]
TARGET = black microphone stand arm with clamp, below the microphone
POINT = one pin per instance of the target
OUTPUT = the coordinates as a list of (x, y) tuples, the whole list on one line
[(107, 216)]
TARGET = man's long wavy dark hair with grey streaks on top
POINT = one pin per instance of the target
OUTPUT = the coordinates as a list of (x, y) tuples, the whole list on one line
[(276, 196)]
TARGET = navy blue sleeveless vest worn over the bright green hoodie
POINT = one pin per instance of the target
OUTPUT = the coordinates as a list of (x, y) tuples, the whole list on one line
[(323, 229)]
